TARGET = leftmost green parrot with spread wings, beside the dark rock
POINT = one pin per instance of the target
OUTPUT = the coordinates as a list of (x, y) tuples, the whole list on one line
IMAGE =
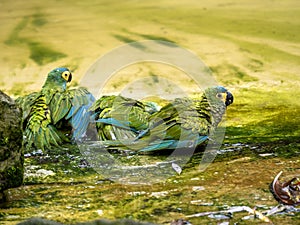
[(55, 115)]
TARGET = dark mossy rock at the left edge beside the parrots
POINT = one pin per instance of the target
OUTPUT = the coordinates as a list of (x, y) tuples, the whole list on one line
[(11, 151)]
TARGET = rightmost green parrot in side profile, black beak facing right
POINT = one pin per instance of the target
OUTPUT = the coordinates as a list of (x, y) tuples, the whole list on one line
[(186, 121)]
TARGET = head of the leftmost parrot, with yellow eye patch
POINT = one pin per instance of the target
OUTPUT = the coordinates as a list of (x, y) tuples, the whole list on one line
[(58, 78)]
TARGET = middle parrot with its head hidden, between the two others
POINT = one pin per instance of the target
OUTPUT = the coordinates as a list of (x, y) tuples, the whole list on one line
[(118, 117)]
